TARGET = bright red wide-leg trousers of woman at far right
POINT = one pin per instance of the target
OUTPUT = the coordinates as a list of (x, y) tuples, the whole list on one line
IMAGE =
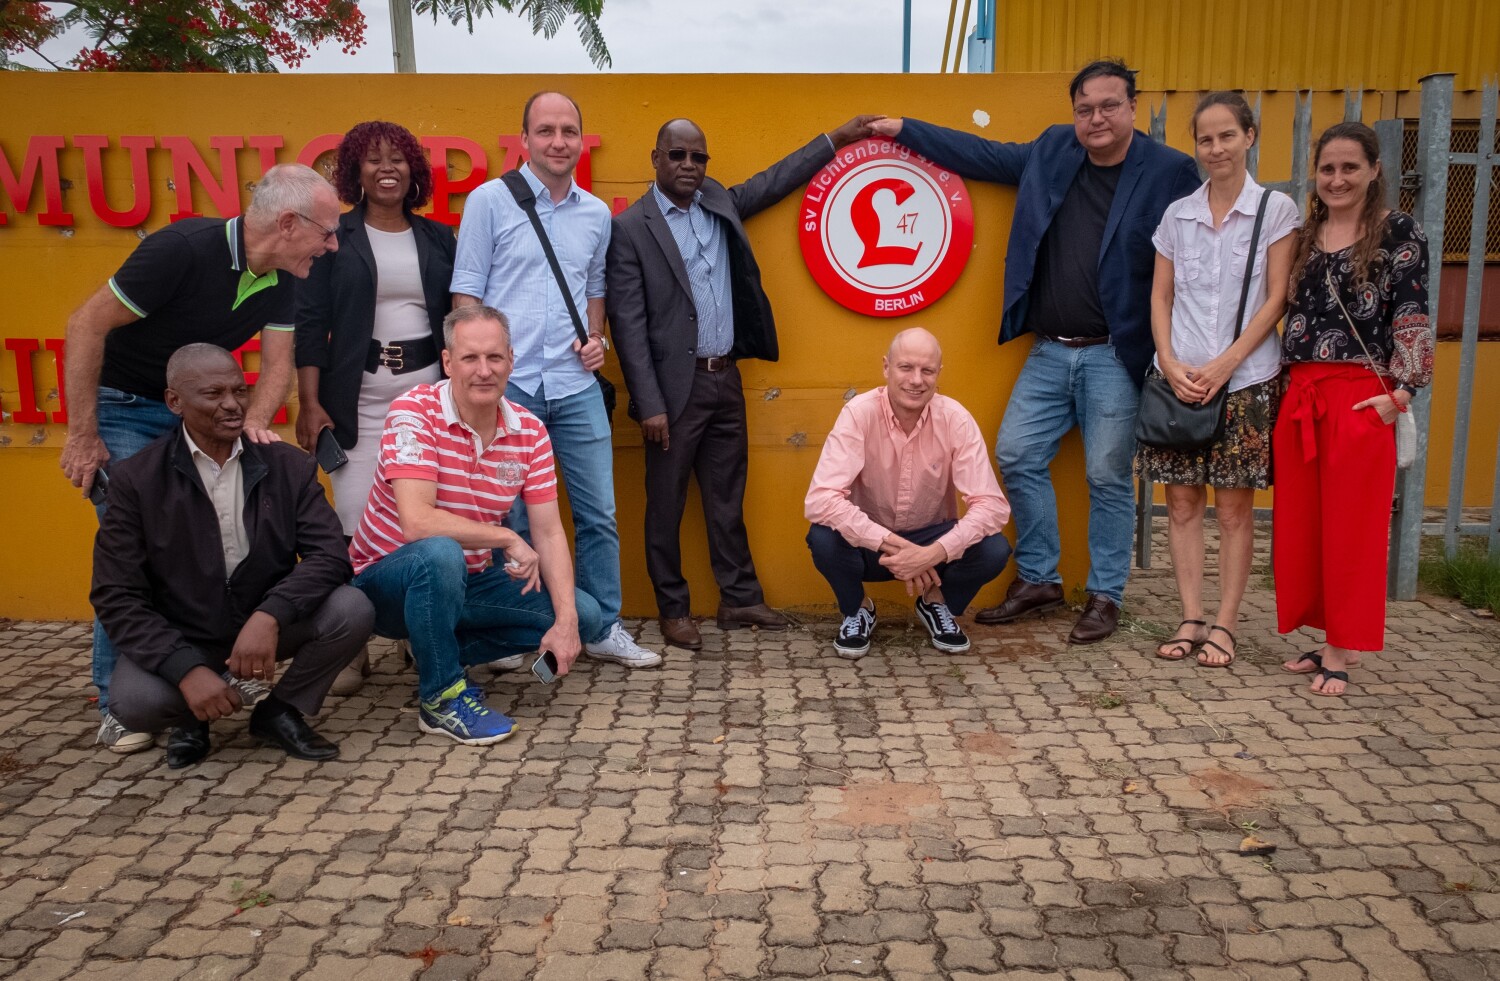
[(1336, 472)]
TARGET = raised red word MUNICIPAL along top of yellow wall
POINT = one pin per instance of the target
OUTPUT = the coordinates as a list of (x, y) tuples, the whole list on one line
[(44, 155)]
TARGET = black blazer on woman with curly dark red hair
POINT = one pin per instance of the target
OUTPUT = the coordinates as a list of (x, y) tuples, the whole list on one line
[(337, 311)]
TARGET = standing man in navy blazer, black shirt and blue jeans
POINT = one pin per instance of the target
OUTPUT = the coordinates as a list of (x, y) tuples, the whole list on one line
[(1078, 275)]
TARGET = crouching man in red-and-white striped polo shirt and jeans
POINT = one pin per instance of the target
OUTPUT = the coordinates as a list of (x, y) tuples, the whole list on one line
[(431, 553)]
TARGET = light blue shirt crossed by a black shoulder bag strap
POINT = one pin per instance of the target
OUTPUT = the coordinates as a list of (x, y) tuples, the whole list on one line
[(502, 262)]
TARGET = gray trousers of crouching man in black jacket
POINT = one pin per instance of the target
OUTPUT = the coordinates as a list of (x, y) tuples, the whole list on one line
[(319, 647)]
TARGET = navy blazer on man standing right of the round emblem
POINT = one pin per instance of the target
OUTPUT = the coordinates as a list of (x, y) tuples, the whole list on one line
[(1043, 170)]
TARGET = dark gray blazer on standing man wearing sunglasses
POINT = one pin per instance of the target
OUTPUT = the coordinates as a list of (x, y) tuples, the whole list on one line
[(650, 301)]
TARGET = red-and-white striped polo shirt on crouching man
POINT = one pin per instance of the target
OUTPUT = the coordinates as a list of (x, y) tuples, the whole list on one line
[(427, 440)]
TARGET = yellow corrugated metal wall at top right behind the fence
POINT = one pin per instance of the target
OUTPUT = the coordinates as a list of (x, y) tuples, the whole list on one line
[(1256, 44)]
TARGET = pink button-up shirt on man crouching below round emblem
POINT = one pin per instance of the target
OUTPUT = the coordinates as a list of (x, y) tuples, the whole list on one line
[(874, 478)]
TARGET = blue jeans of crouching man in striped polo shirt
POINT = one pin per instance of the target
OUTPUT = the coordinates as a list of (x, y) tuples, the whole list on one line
[(457, 619)]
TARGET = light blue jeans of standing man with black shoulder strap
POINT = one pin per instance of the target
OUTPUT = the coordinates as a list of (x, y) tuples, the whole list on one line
[(584, 454)]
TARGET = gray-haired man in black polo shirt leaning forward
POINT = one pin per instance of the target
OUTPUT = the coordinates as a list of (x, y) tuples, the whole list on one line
[(202, 280)]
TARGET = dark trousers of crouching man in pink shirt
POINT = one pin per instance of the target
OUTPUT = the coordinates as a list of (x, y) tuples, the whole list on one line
[(848, 568)]
